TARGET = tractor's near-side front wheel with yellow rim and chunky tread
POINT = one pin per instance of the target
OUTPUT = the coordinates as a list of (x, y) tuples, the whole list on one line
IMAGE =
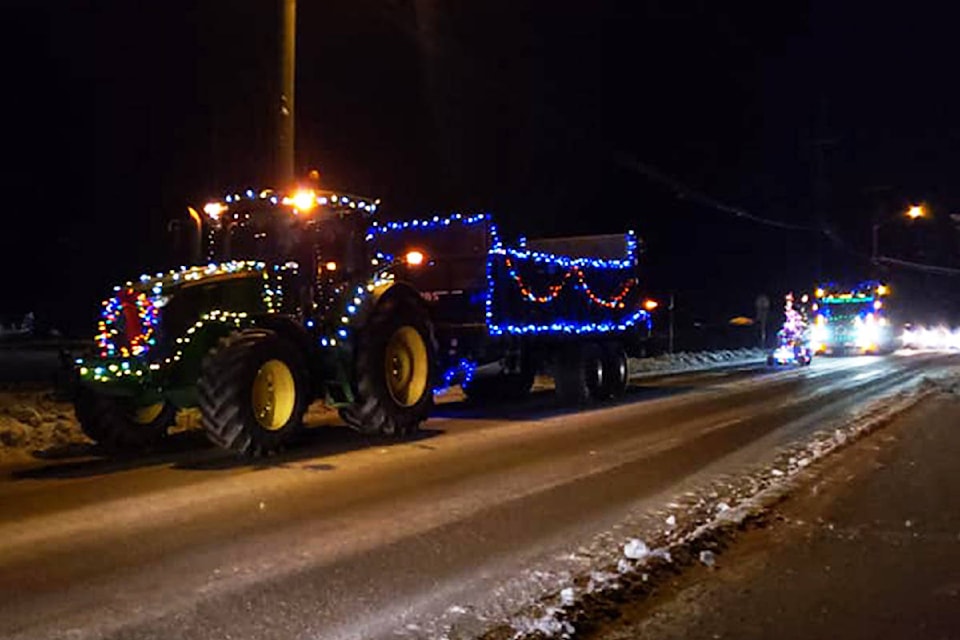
[(253, 391)]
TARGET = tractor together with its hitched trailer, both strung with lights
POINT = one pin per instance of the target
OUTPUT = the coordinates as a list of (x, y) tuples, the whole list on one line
[(306, 296)]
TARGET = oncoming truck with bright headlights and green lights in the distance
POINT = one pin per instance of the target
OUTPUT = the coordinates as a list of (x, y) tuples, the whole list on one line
[(852, 320)]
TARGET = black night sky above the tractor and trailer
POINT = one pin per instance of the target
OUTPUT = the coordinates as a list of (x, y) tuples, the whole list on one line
[(119, 114)]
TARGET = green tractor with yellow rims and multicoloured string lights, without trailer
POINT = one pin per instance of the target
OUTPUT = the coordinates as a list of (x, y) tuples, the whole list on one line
[(292, 306)]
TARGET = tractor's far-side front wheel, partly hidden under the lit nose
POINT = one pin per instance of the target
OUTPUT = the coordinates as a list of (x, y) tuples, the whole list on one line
[(118, 424)]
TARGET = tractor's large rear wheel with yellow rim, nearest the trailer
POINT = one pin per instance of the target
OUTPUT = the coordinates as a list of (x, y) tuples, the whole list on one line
[(395, 369)]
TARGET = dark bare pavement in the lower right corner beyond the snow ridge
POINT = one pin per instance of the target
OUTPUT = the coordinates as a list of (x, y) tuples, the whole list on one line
[(869, 548)]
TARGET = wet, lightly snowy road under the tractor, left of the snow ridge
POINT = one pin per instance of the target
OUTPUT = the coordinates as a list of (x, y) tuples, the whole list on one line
[(354, 538)]
